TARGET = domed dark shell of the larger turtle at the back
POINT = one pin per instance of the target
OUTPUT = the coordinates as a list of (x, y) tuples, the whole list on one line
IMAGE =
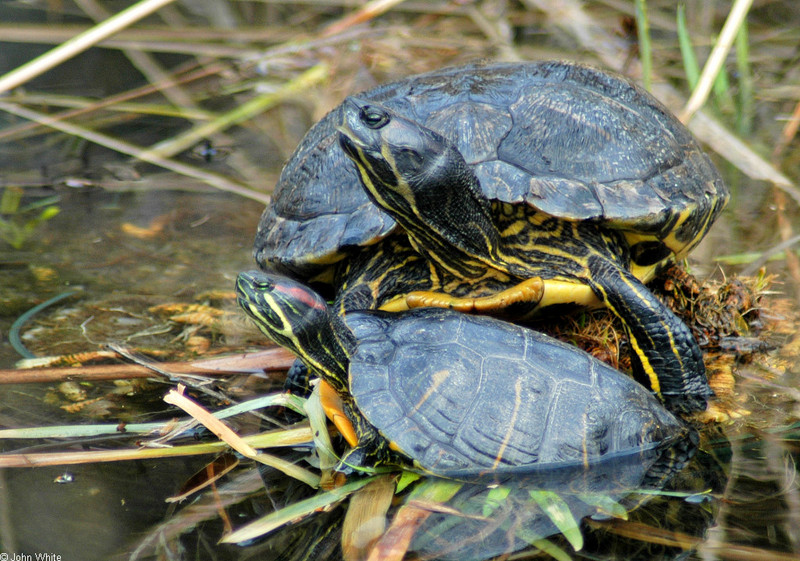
[(570, 140)]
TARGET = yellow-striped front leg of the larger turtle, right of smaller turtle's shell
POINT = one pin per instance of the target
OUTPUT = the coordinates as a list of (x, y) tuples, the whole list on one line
[(663, 345)]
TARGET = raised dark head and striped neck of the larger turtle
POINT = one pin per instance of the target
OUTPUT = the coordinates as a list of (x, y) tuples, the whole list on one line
[(421, 179)]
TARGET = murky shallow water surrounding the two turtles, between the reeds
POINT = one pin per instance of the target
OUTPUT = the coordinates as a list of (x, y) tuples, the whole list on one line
[(126, 253)]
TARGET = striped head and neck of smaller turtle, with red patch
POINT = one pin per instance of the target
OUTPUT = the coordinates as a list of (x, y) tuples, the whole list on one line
[(296, 318)]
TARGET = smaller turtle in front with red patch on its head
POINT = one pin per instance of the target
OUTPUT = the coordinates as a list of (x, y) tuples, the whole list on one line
[(454, 394)]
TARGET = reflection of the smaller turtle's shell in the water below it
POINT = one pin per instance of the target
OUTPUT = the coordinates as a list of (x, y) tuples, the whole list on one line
[(483, 521)]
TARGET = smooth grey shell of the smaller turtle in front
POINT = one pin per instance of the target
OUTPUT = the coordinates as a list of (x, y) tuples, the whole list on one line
[(462, 394)]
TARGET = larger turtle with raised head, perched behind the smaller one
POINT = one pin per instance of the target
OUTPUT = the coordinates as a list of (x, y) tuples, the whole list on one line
[(500, 175)]
